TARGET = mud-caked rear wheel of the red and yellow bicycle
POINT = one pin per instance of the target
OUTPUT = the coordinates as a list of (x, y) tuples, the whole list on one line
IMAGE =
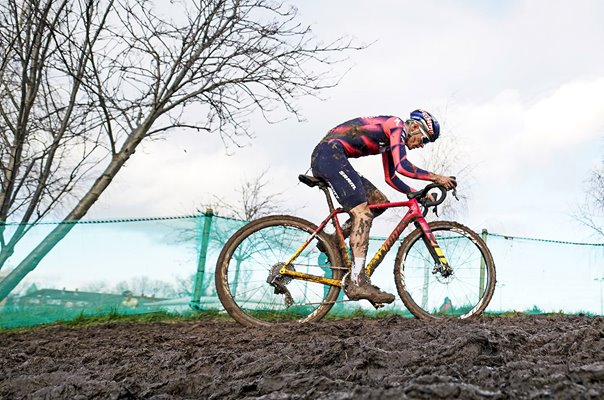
[(258, 249)]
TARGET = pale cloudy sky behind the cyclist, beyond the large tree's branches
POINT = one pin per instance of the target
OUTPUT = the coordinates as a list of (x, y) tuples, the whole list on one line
[(517, 86)]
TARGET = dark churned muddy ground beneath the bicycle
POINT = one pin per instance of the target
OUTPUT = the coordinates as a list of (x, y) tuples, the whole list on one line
[(393, 358)]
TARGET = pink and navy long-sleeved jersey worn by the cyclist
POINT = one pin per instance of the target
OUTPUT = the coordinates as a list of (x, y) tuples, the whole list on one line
[(384, 134)]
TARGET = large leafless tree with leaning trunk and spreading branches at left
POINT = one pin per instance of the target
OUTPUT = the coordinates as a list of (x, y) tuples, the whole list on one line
[(84, 82)]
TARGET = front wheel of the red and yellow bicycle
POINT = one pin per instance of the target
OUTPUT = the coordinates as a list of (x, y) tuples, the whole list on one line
[(464, 294)]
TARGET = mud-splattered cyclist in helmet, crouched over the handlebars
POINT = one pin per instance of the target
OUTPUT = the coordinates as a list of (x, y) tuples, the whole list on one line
[(359, 137)]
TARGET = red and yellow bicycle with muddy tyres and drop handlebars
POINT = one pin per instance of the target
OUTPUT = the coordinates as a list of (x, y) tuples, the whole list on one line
[(283, 268)]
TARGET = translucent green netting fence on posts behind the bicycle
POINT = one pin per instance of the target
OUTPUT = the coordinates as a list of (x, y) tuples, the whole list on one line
[(167, 264)]
